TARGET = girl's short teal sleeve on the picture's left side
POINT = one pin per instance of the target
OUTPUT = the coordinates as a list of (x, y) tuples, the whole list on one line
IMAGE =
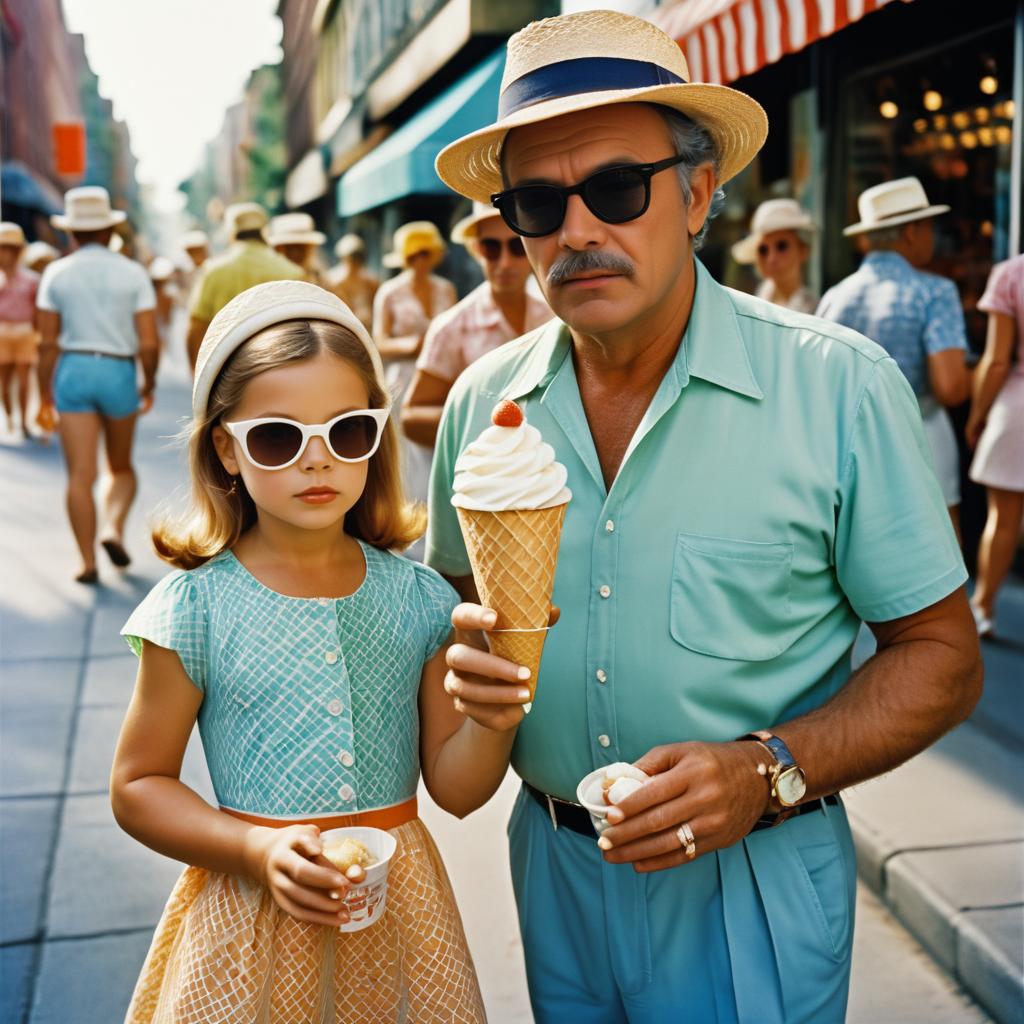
[(174, 616)]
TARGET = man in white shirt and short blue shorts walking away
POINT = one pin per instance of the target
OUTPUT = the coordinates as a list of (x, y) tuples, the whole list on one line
[(101, 306)]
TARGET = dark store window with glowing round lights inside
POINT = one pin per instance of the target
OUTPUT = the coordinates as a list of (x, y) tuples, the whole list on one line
[(947, 117)]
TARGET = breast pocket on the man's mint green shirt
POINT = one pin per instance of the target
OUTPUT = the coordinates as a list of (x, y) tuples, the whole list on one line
[(731, 599)]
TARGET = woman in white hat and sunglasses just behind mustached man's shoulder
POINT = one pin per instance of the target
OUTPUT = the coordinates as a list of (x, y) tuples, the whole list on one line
[(779, 245)]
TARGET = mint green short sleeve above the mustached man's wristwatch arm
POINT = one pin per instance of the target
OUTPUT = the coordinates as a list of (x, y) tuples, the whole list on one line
[(897, 551)]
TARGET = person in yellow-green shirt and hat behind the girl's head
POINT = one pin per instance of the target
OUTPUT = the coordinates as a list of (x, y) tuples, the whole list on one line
[(249, 262)]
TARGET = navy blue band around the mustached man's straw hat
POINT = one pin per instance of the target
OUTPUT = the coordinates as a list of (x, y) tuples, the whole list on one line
[(571, 78)]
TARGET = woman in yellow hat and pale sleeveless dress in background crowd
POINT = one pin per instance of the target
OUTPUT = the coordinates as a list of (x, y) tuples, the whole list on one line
[(404, 309)]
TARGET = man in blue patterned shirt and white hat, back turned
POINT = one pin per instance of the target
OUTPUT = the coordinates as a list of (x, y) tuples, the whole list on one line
[(916, 317)]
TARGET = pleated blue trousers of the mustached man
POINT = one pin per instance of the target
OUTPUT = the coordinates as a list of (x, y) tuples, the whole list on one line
[(760, 933)]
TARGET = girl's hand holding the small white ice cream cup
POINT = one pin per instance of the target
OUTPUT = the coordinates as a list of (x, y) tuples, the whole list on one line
[(302, 880)]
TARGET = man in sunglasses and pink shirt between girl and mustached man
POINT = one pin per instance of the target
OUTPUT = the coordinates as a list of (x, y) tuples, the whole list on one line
[(496, 312)]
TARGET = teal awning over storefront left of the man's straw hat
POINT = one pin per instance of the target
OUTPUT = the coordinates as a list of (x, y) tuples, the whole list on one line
[(404, 163)]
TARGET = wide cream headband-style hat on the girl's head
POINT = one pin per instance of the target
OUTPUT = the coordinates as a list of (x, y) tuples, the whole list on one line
[(260, 308)]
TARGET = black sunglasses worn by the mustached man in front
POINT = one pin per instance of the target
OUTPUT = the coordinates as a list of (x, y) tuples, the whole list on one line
[(615, 196)]
